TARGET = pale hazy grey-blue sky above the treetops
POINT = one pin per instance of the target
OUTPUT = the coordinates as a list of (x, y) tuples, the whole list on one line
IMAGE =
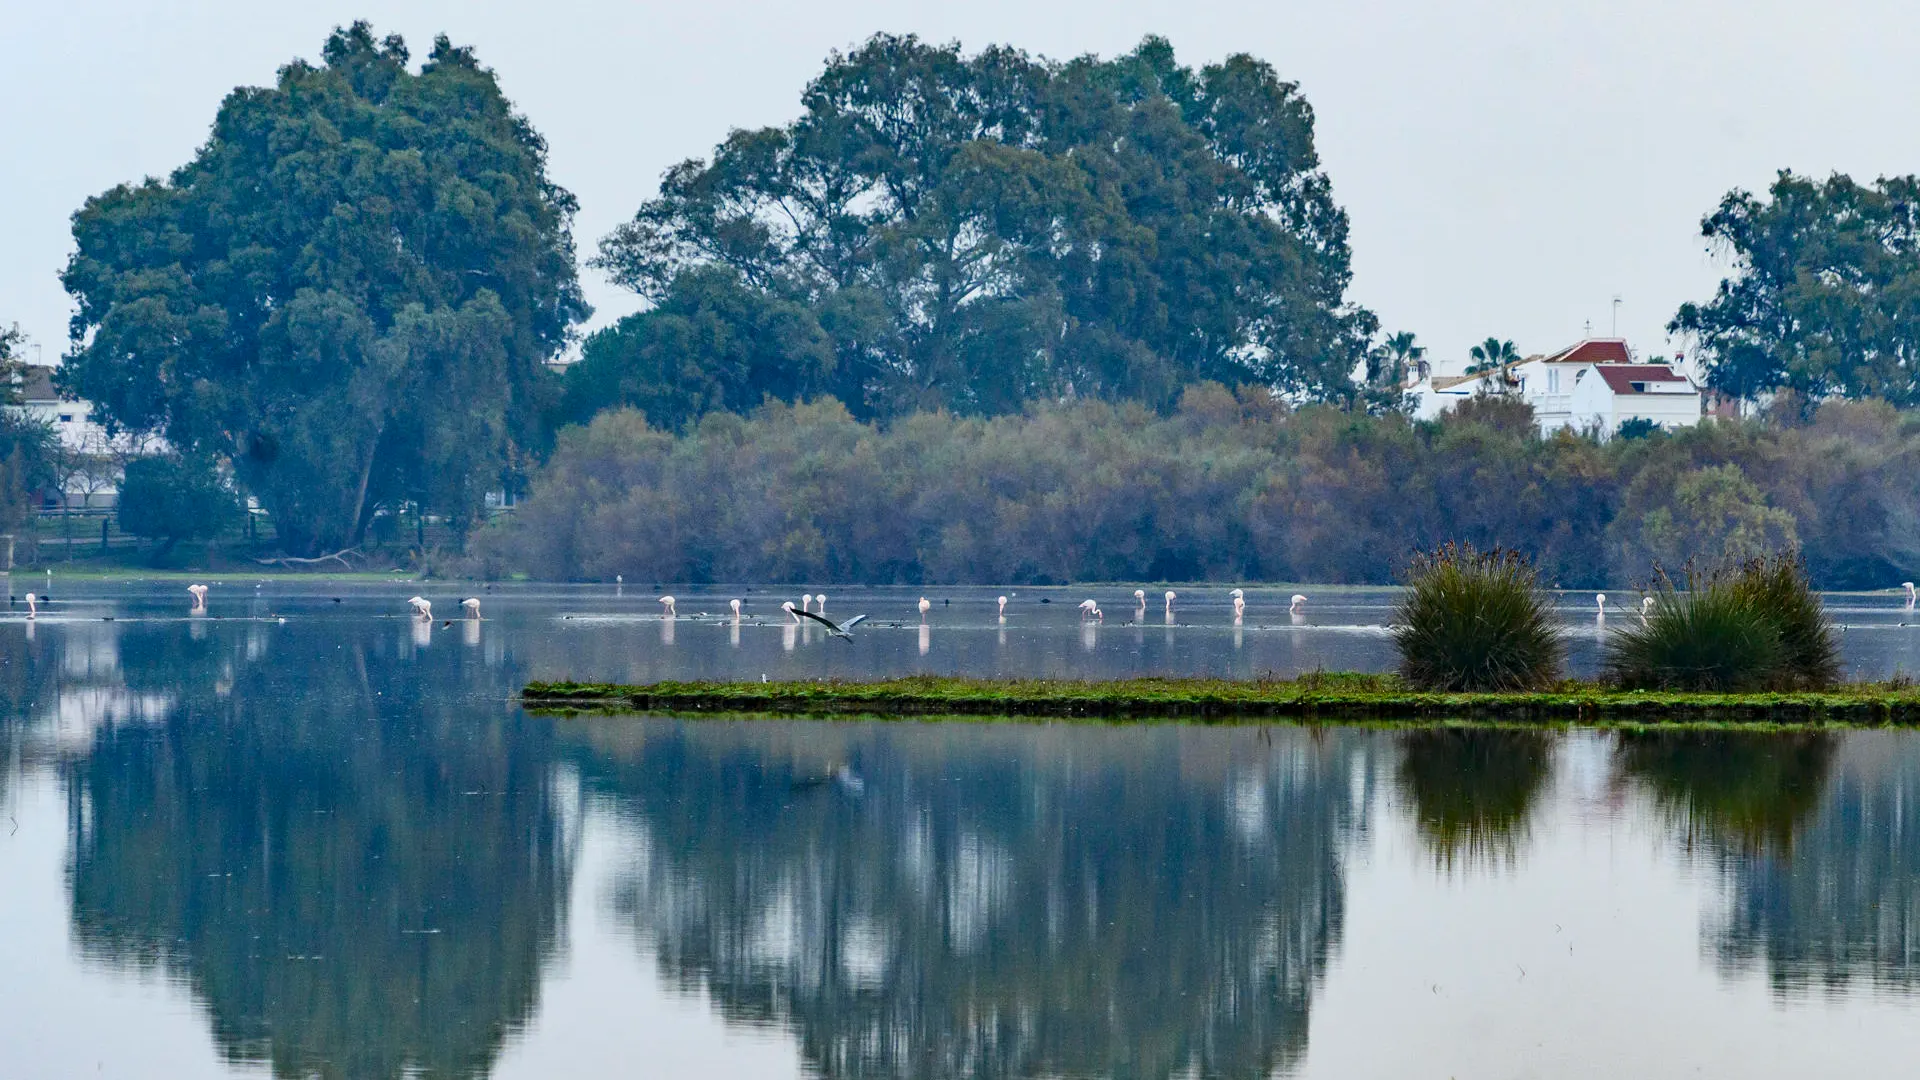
[(1510, 166)]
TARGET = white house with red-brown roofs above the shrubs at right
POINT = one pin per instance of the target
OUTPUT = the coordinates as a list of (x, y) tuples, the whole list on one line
[(1593, 385)]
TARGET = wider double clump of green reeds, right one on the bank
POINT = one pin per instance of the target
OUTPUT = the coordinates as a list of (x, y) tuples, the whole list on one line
[(1756, 626)]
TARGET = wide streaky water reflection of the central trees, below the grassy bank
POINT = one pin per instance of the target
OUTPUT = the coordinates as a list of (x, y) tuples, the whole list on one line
[(978, 900)]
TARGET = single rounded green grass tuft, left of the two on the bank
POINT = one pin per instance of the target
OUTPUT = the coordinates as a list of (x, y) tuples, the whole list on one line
[(1477, 622)]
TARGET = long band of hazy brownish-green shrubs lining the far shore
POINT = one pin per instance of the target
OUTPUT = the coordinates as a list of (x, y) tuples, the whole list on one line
[(1230, 487)]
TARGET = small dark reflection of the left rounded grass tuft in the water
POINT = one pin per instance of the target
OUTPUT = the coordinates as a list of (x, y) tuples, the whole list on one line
[(1472, 791)]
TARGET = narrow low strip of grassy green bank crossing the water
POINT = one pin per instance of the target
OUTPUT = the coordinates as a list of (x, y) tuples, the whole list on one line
[(1308, 699)]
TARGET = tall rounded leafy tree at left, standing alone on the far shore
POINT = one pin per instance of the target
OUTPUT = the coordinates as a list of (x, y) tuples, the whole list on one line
[(348, 293)]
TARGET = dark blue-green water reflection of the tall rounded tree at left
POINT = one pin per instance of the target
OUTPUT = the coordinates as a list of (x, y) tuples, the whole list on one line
[(356, 875)]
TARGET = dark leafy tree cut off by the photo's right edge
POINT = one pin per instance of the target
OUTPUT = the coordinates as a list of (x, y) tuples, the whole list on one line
[(1825, 297)]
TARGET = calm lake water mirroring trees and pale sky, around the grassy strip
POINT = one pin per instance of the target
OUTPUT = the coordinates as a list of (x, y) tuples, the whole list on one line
[(310, 837)]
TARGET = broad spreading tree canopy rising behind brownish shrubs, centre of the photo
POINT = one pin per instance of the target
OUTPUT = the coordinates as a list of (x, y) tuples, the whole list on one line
[(978, 232)]
